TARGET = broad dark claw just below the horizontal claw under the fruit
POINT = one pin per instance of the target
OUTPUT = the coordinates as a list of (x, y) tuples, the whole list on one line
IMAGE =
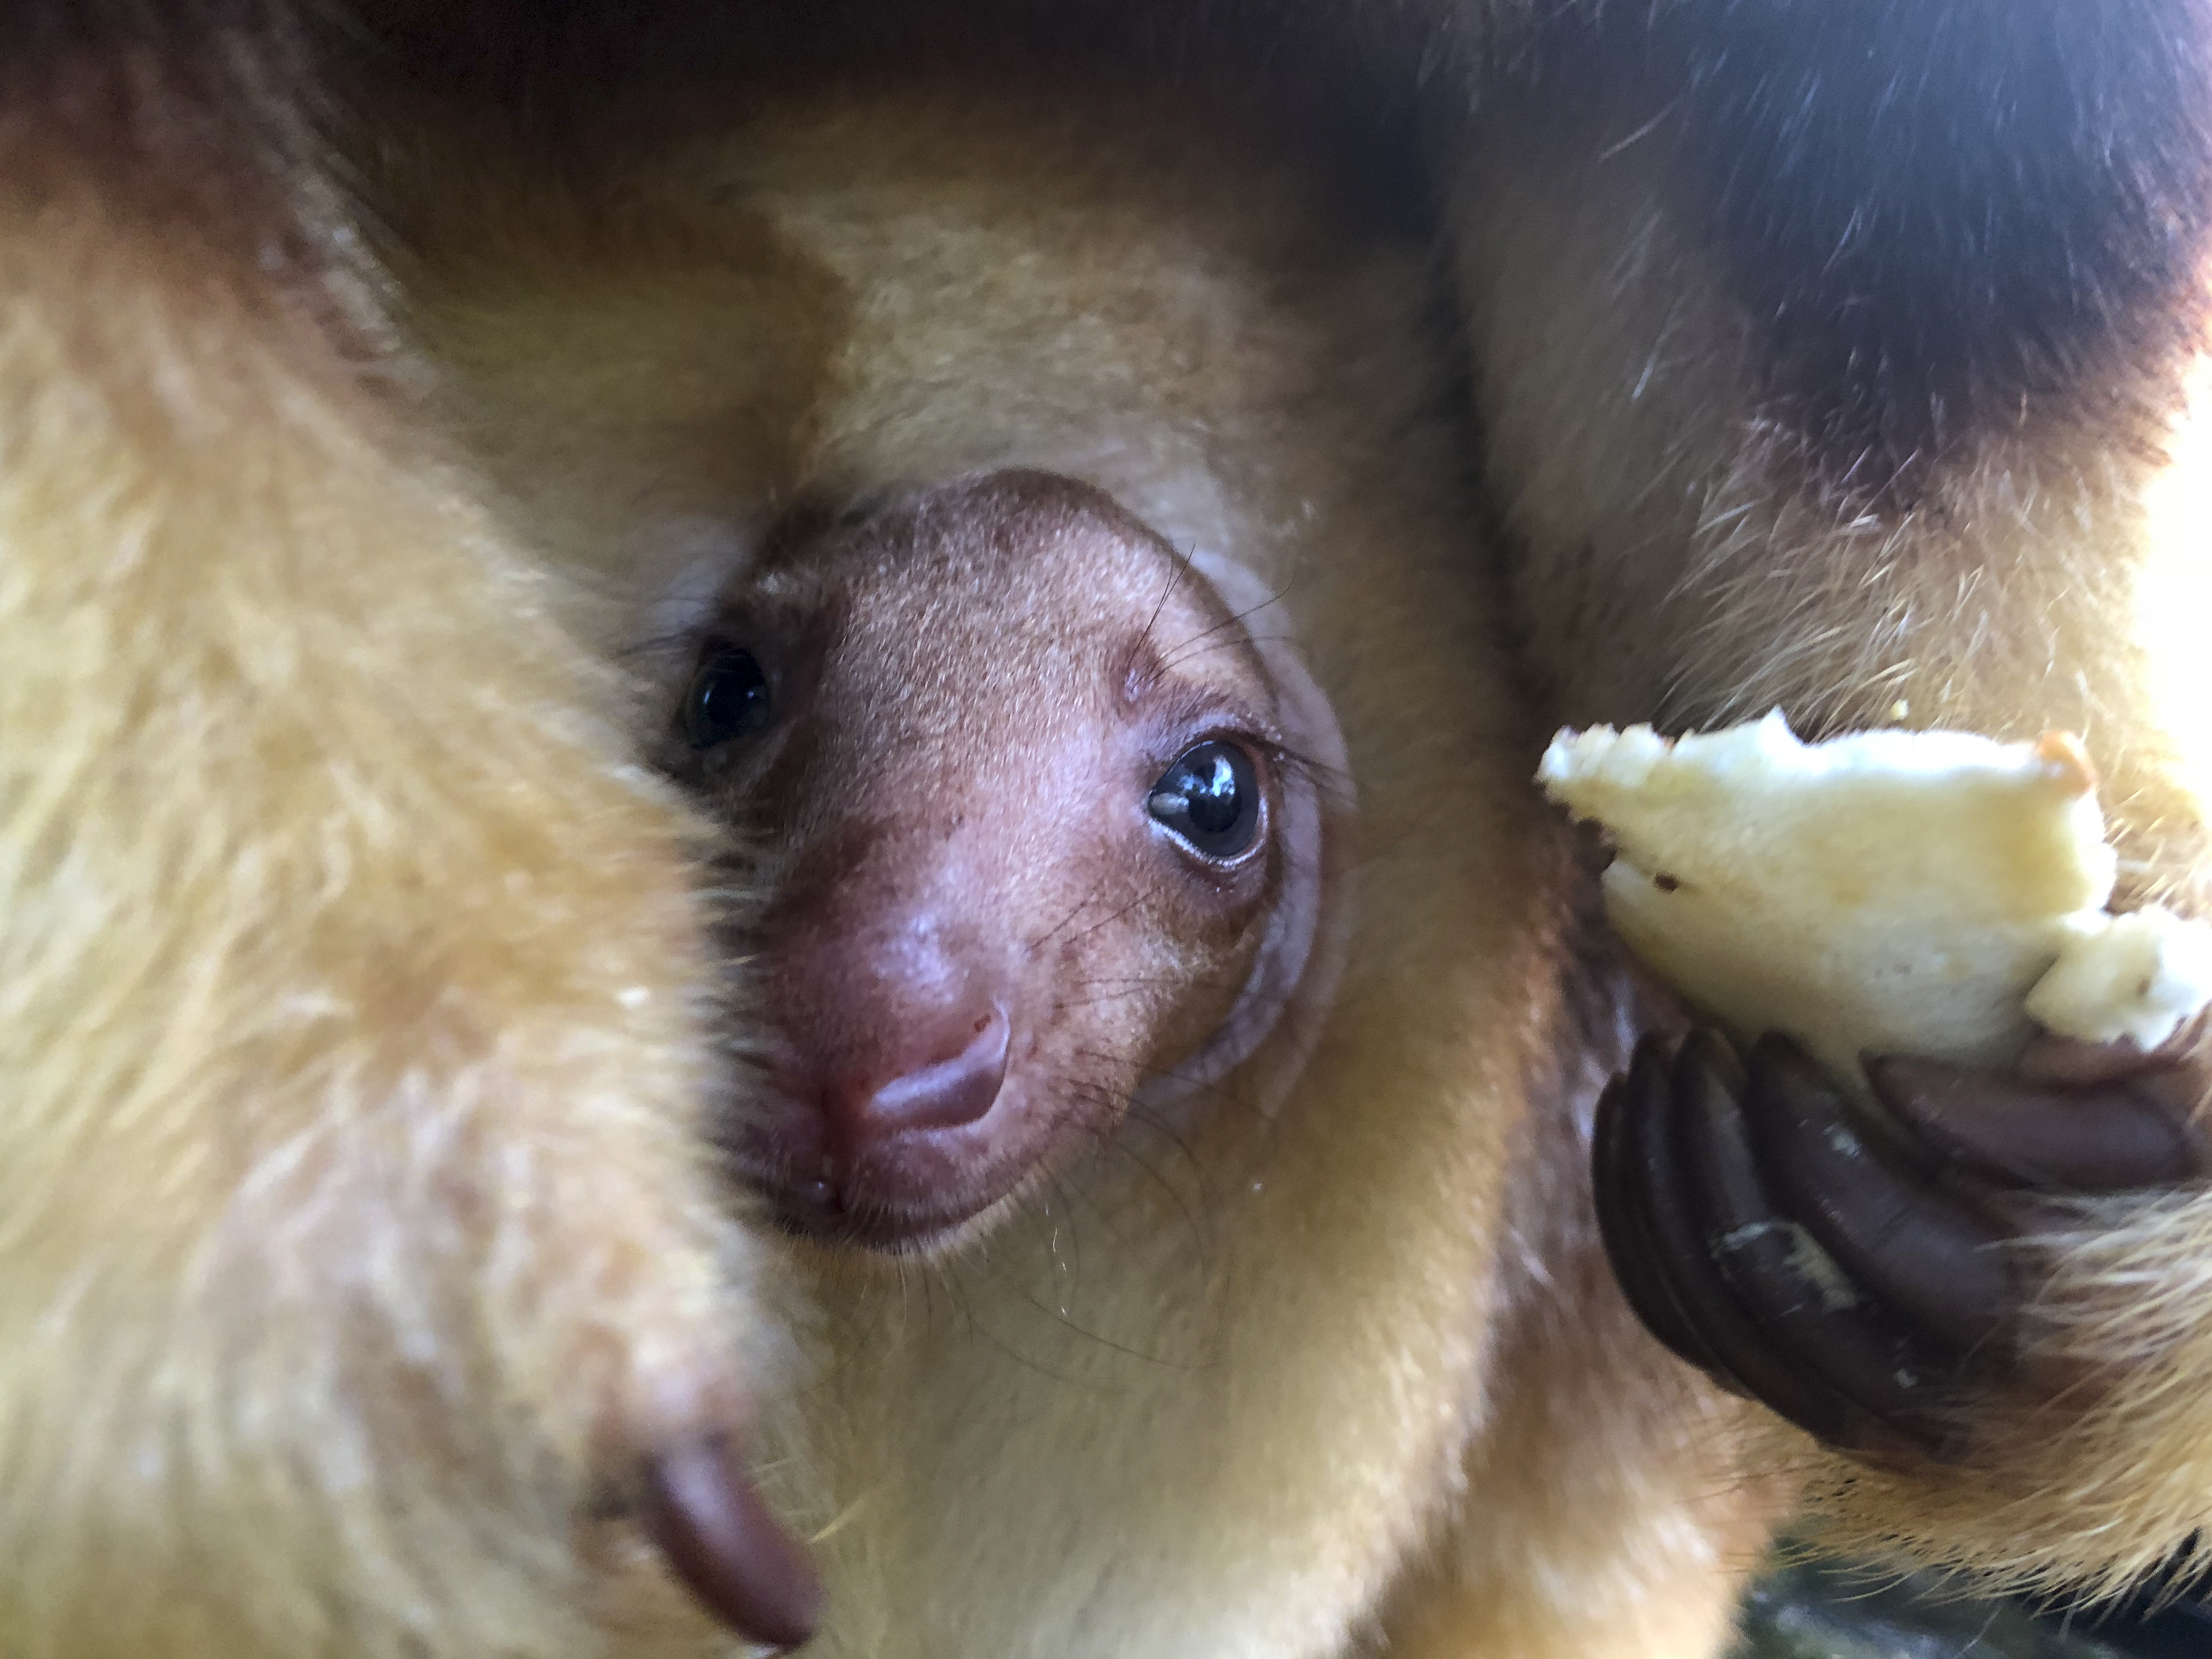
[(1928, 1253)]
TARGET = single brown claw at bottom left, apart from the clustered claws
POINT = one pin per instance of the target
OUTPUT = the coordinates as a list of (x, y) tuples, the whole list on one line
[(727, 1547)]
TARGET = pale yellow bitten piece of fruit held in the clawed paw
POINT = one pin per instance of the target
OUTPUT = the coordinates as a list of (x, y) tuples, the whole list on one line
[(1886, 893)]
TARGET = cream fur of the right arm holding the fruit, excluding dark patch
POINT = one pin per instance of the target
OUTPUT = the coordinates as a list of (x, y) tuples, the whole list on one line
[(1682, 565)]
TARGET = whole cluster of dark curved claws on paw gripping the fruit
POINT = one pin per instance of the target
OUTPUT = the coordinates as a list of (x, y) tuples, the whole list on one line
[(1853, 1269)]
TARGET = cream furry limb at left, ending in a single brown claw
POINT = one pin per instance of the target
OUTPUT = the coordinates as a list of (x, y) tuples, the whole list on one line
[(351, 1016)]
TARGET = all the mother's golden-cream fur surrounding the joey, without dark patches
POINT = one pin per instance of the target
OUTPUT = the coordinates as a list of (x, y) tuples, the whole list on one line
[(359, 1023)]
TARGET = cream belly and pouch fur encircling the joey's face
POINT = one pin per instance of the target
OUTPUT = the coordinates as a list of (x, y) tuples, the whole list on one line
[(1229, 1377)]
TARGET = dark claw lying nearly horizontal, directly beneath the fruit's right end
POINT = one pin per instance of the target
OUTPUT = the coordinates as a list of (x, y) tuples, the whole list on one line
[(2058, 1140)]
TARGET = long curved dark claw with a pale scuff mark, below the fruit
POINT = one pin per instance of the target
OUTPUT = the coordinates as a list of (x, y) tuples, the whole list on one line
[(1791, 1291)]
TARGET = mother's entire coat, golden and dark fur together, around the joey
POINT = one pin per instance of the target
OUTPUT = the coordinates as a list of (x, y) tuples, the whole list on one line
[(359, 1019)]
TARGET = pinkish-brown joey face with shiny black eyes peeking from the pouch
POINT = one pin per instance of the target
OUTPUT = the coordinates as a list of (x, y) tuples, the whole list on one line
[(1039, 828)]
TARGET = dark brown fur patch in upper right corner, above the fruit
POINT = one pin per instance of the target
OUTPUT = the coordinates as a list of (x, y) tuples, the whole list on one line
[(1943, 220)]
